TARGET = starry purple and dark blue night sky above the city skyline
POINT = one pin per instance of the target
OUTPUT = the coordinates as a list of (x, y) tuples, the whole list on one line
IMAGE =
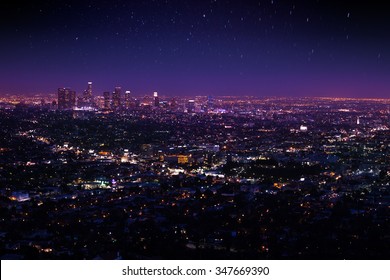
[(263, 48)]
